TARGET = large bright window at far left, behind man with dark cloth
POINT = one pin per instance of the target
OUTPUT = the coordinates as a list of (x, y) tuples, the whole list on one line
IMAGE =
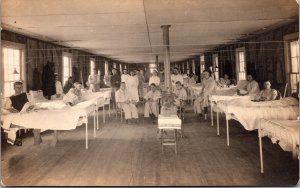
[(13, 68)]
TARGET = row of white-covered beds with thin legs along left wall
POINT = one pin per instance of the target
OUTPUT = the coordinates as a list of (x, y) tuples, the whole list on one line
[(57, 116)]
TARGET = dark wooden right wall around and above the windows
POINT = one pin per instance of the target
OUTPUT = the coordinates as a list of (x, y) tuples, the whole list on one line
[(264, 55)]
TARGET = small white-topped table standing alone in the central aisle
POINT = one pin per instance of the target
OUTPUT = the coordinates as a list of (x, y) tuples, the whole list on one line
[(169, 123)]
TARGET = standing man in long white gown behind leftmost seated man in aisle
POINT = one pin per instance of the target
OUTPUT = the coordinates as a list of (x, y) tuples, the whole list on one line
[(132, 86)]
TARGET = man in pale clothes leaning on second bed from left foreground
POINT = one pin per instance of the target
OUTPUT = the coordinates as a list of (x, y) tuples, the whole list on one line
[(74, 95)]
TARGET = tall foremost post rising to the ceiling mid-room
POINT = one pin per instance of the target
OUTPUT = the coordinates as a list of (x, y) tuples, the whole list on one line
[(166, 45)]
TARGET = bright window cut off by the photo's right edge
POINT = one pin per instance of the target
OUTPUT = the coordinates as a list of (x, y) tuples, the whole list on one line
[(294, 65)]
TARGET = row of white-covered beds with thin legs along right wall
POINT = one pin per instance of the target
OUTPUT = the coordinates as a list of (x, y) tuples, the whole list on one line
[(276, 119)]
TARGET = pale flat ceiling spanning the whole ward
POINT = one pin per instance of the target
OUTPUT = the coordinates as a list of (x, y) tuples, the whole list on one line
[(129, 30)]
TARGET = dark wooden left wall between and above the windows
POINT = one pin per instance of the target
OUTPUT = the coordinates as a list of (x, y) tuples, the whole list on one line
[(38, 52)]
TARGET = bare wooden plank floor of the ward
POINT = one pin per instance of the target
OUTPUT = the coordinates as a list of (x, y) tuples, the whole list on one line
[(131, 155)]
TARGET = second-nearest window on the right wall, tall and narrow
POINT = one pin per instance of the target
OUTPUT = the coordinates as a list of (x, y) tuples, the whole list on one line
[(240, 63)]
